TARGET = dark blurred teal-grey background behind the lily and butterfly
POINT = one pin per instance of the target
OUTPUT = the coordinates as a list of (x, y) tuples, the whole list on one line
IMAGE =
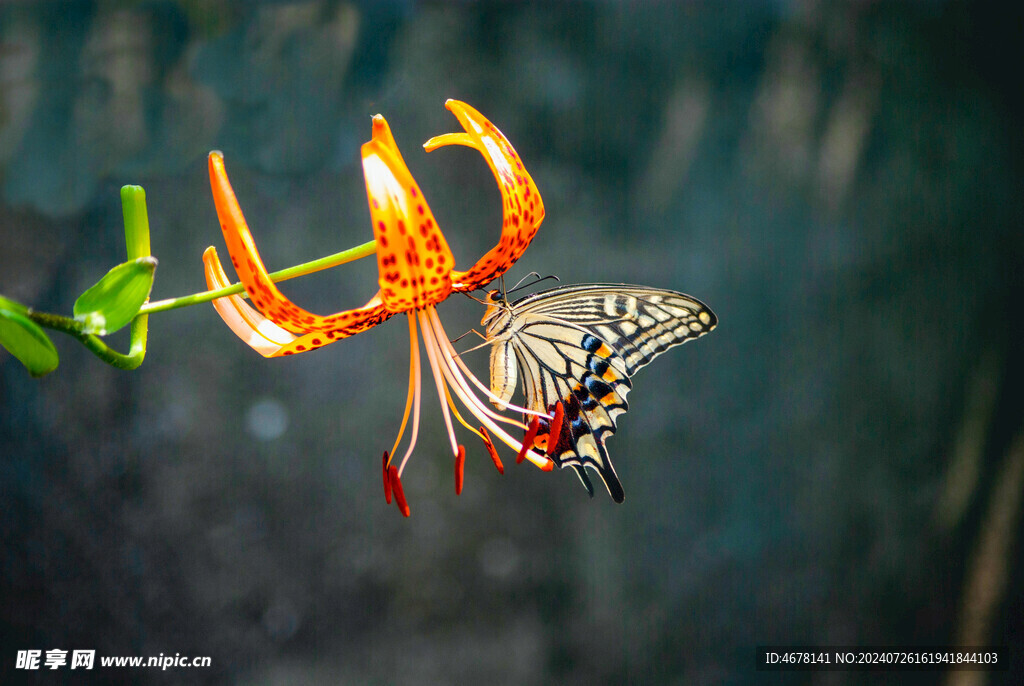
[(840, 462)]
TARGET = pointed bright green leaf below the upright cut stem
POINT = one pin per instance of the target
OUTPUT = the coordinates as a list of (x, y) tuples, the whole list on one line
[(116, 298)]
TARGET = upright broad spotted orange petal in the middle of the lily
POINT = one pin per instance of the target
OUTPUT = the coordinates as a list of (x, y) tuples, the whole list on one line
[(413, 258)]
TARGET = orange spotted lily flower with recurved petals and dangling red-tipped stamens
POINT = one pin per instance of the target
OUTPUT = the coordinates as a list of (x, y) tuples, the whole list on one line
[(416, 273)]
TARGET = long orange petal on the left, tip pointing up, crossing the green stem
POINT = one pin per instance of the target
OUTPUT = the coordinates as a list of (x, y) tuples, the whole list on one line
[(264, 293)]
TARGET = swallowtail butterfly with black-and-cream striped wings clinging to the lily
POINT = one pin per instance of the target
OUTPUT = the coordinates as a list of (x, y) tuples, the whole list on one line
[(578, 347)]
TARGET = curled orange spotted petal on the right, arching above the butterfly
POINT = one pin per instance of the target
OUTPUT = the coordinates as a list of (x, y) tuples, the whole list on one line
[(523, 209)]
